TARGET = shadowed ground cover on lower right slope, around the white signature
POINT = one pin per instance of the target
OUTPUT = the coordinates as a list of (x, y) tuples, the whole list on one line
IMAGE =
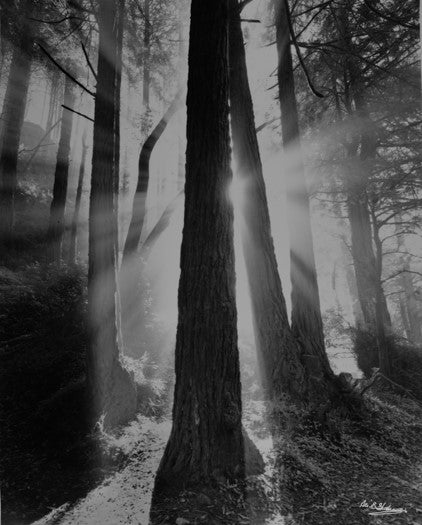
[(327, 470)]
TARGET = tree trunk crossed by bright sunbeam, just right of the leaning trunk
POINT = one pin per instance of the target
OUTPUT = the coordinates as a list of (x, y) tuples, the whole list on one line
[(306, 321)]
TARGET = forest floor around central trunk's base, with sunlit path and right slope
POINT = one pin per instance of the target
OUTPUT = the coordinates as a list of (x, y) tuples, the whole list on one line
[(324, 482)]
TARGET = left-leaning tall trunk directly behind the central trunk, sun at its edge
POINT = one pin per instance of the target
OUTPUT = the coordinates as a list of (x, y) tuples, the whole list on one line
[(278, 353)]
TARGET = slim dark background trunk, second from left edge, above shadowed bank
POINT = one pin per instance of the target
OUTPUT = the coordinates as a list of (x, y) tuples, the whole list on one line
[(58, 204)]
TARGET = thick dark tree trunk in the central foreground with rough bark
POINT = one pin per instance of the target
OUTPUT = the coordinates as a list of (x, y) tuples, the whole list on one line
[(206, 442)]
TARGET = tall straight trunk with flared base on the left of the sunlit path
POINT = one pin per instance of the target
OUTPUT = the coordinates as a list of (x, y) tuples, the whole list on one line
[(112, 388)]
